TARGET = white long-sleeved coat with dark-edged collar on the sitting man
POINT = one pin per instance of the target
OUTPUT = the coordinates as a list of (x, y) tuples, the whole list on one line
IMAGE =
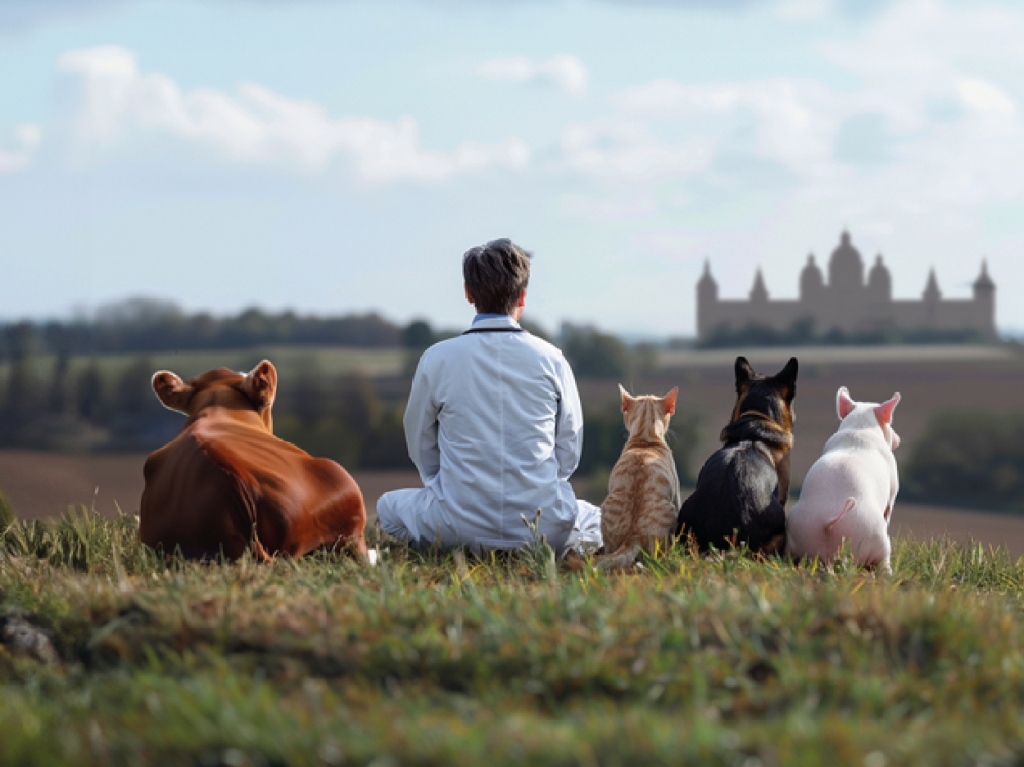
[(495, 428)]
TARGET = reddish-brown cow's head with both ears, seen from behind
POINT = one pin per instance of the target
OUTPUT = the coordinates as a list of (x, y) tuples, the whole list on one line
[(221, 389)]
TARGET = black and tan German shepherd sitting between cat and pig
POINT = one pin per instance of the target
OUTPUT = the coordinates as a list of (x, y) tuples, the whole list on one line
[(743, 488)]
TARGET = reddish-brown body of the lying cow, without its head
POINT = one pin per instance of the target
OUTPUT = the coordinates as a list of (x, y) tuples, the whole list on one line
[(223, 485)]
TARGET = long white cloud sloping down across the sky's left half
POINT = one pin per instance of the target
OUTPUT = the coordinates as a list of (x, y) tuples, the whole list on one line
[(114, 106)]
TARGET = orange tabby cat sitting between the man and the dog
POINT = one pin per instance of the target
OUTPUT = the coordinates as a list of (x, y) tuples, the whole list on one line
[(644, 490)]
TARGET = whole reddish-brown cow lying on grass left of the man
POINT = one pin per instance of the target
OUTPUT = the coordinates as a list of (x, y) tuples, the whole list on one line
[(227, 484)]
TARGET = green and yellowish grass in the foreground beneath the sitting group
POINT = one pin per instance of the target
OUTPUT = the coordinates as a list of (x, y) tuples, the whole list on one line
[(441, 660)]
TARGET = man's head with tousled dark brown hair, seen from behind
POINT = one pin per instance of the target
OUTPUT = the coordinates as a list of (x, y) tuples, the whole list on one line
[(496, 276)]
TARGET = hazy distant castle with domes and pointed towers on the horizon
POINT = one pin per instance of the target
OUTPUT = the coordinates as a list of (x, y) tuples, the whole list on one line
[(847, 305)]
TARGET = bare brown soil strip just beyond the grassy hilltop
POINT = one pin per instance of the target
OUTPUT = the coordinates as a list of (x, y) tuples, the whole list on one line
[(44, 485)]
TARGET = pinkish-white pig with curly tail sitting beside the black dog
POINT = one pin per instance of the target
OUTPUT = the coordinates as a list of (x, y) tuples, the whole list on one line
[(849, 492)]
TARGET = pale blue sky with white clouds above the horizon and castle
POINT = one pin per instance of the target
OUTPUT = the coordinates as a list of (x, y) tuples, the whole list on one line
[(332, 157)]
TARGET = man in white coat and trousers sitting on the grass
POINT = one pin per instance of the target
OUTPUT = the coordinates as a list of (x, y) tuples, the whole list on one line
[(495, 427)]
